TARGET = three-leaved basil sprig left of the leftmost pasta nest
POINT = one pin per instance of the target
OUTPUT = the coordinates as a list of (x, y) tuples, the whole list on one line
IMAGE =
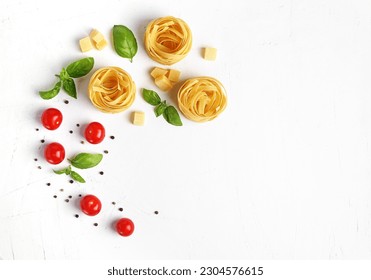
[(76, 69)]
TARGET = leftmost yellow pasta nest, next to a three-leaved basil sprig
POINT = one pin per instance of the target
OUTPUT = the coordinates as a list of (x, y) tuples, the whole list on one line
[(111, 89)]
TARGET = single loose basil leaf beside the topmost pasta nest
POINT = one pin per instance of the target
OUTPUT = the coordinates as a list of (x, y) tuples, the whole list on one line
[(124, 42)]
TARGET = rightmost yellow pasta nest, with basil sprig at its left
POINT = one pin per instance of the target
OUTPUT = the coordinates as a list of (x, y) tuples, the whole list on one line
[(202, 99)]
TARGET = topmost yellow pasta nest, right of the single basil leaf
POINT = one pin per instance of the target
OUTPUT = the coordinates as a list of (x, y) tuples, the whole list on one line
[(167, 40)]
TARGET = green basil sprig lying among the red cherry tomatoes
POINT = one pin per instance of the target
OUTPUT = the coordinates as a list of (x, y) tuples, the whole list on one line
[(81, 161)]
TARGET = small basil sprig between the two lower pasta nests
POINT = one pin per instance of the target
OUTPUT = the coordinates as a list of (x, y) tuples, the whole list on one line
[(169, 112)]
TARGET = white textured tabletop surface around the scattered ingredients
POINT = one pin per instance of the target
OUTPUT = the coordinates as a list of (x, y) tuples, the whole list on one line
[(283, 173)]
